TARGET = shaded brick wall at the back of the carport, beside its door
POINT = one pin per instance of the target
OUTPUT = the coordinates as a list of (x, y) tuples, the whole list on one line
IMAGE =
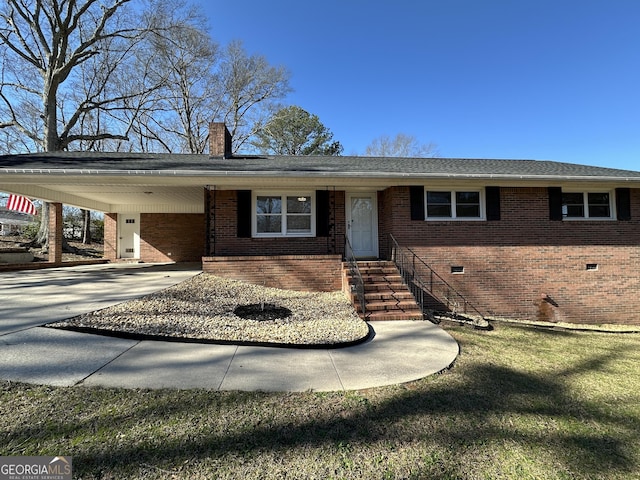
[(171, 237)]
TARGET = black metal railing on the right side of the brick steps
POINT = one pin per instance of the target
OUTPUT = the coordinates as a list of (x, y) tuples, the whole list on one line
[(431, 291)]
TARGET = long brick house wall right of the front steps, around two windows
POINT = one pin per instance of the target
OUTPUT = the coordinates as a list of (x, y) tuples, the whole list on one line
[(526, 266)]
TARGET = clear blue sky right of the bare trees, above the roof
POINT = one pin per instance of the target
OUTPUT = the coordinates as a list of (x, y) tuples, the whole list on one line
[(524, 79)]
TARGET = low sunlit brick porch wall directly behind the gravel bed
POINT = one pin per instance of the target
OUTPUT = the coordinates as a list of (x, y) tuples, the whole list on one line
[(294, 272)]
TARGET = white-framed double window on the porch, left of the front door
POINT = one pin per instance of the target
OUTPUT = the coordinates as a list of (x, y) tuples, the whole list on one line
[(277, 214)]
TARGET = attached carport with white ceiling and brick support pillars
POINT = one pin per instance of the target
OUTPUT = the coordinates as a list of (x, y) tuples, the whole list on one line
[(118, 185)]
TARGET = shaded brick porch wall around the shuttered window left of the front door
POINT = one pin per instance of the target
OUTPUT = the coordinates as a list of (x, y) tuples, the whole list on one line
[(223, 231)]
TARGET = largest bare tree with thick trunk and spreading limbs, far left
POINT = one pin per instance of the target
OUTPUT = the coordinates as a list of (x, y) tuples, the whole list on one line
[(48, 42)]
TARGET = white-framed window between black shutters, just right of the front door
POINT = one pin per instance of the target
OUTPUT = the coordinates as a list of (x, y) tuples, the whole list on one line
[(454, 204)]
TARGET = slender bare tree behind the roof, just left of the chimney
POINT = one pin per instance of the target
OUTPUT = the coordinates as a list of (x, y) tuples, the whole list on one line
[(184, 57)]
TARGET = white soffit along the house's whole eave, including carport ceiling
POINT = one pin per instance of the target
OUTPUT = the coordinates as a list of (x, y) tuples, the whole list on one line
[(170, 193)]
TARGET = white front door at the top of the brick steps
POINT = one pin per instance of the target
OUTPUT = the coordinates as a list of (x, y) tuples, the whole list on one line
[(362, 223)]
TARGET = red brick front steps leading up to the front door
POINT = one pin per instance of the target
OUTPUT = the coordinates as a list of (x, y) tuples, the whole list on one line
[(386, 295)]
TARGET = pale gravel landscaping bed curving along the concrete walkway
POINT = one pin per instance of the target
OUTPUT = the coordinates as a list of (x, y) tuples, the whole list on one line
[(203, 308)]
